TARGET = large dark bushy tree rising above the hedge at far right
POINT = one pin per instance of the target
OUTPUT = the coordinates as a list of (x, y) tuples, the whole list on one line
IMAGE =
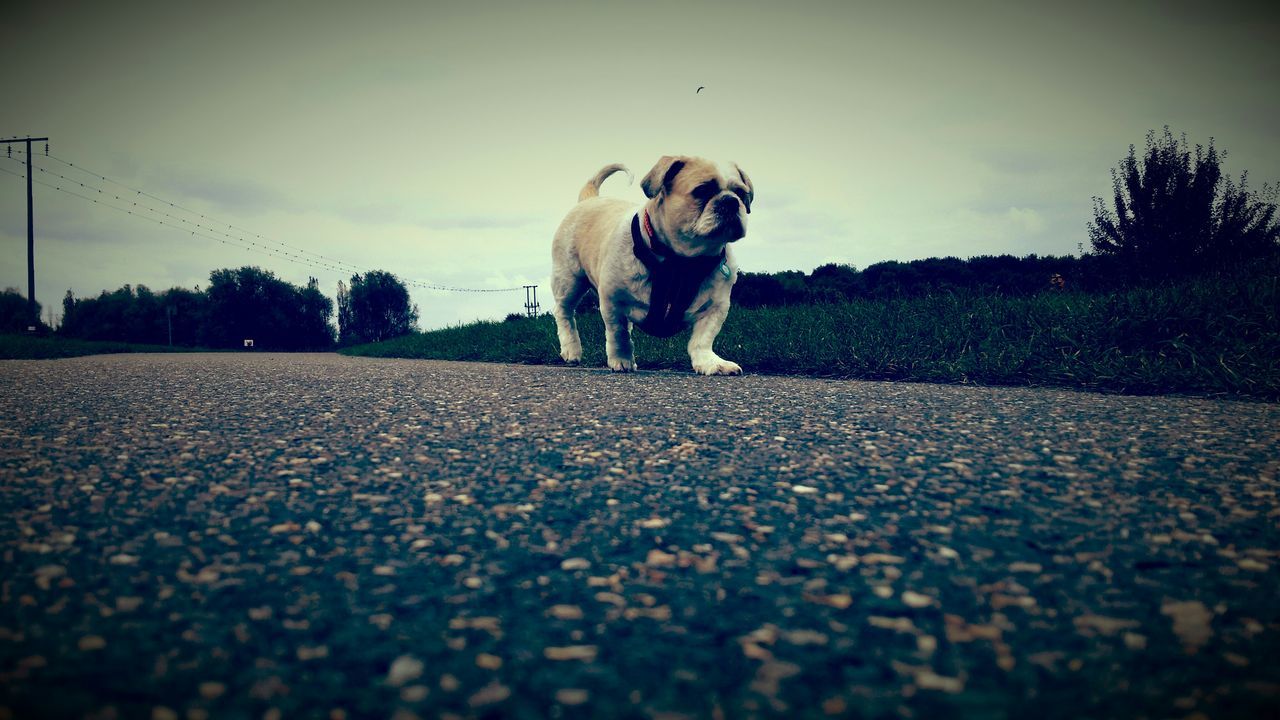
[(1177, 213)]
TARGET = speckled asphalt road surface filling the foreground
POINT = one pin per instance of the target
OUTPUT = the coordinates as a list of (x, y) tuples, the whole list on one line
[(316, 536)]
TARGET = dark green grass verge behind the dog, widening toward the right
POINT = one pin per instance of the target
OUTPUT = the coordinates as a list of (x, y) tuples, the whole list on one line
[(1210, 336)]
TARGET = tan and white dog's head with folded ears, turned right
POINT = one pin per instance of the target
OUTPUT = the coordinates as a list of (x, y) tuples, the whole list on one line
[(697, 206)]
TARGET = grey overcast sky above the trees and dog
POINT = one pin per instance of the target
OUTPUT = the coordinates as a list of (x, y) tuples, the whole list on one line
[(445, 142)]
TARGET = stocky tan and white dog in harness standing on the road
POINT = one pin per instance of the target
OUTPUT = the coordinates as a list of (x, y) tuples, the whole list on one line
[(662, 266)]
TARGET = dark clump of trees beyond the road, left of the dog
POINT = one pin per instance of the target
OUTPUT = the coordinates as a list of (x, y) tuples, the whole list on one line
[(241, 304)]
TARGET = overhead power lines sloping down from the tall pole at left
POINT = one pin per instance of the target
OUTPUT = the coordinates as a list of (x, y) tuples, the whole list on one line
[(331, 263)]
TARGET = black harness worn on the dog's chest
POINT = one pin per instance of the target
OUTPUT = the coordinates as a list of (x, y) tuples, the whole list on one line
[(674, 282)]
